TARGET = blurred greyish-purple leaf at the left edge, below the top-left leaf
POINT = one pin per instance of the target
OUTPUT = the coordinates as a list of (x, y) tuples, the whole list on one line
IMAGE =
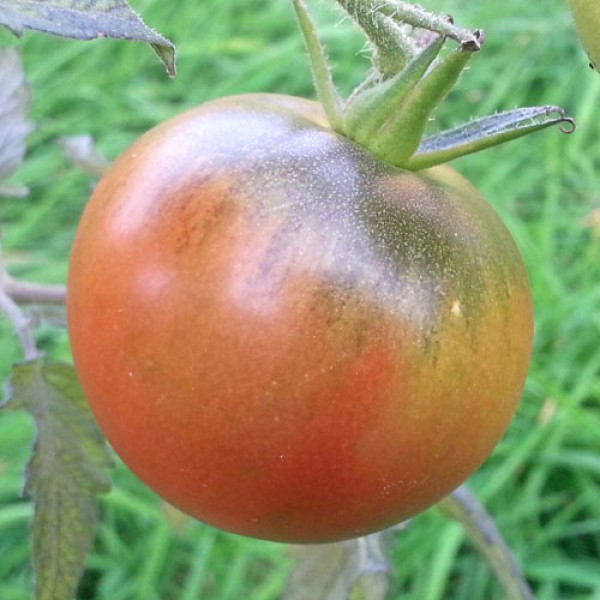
[(15, 101)]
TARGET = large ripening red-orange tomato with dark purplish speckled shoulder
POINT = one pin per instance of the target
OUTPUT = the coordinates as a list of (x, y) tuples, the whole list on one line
[(286, 338)]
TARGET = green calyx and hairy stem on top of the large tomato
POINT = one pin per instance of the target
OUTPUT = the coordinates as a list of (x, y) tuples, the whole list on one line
[(389, 111)]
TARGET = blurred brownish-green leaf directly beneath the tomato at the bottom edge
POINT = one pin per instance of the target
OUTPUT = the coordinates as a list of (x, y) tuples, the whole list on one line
[(354, 569)]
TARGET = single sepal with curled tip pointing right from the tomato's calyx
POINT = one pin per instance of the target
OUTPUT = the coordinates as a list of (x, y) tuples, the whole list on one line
[(485, 132)]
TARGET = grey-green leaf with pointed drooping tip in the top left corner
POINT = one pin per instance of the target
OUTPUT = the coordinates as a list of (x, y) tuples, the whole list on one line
[(85, 20)]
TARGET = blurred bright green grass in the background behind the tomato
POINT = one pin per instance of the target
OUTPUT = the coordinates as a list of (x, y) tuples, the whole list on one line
[(543, 481)]
